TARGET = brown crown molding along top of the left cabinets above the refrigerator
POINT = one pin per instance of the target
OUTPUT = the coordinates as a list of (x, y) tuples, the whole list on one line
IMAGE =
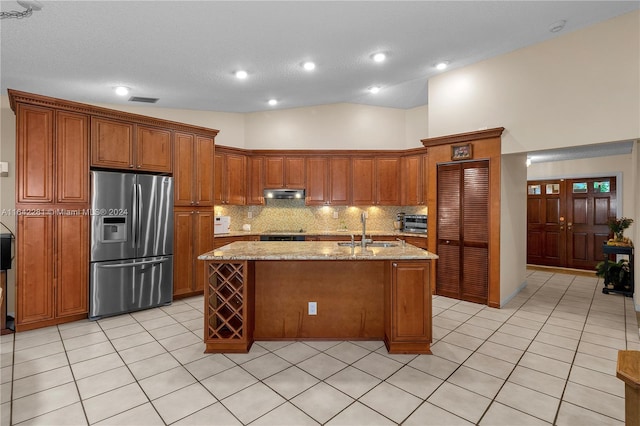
[(16, 97)]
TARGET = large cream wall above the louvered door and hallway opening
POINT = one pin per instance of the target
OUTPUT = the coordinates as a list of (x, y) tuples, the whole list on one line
[(577, 89)]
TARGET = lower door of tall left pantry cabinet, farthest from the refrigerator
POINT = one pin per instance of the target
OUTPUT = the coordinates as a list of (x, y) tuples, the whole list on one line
[(34, 280)]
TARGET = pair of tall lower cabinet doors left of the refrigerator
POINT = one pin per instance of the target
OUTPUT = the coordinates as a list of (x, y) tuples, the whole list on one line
[(52, 270)]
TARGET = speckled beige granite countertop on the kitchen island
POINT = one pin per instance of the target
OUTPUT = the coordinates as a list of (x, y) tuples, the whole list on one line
[(313, 250)]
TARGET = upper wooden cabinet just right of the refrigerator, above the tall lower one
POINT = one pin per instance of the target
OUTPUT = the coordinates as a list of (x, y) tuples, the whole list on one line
[(193, 170)]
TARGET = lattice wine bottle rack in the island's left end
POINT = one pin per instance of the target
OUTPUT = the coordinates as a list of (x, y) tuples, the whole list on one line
[(225, 307)]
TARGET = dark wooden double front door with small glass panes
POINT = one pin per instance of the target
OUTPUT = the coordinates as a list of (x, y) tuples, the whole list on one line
[(567, 221)]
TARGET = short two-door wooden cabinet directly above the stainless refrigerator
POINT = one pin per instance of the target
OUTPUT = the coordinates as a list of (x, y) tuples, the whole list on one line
[(114, 146)]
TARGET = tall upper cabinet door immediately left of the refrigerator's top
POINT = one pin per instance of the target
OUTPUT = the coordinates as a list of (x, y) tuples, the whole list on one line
[(72, 158)]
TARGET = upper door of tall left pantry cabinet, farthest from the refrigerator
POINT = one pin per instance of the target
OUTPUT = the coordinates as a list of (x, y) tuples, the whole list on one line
[(34, 154)]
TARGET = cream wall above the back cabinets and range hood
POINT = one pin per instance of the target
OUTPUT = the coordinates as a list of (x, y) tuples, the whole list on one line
[(336, 126)]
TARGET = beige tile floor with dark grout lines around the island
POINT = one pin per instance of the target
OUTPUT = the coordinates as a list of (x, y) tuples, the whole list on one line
[(548, 357)]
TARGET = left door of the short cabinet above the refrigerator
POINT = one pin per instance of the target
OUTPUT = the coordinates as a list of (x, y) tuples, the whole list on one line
[(111, 144)]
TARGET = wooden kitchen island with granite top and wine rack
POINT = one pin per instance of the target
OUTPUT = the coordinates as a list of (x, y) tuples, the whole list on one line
[(317, 291)]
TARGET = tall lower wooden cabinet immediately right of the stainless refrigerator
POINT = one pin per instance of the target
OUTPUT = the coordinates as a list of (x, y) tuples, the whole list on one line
[(193, 235)]
